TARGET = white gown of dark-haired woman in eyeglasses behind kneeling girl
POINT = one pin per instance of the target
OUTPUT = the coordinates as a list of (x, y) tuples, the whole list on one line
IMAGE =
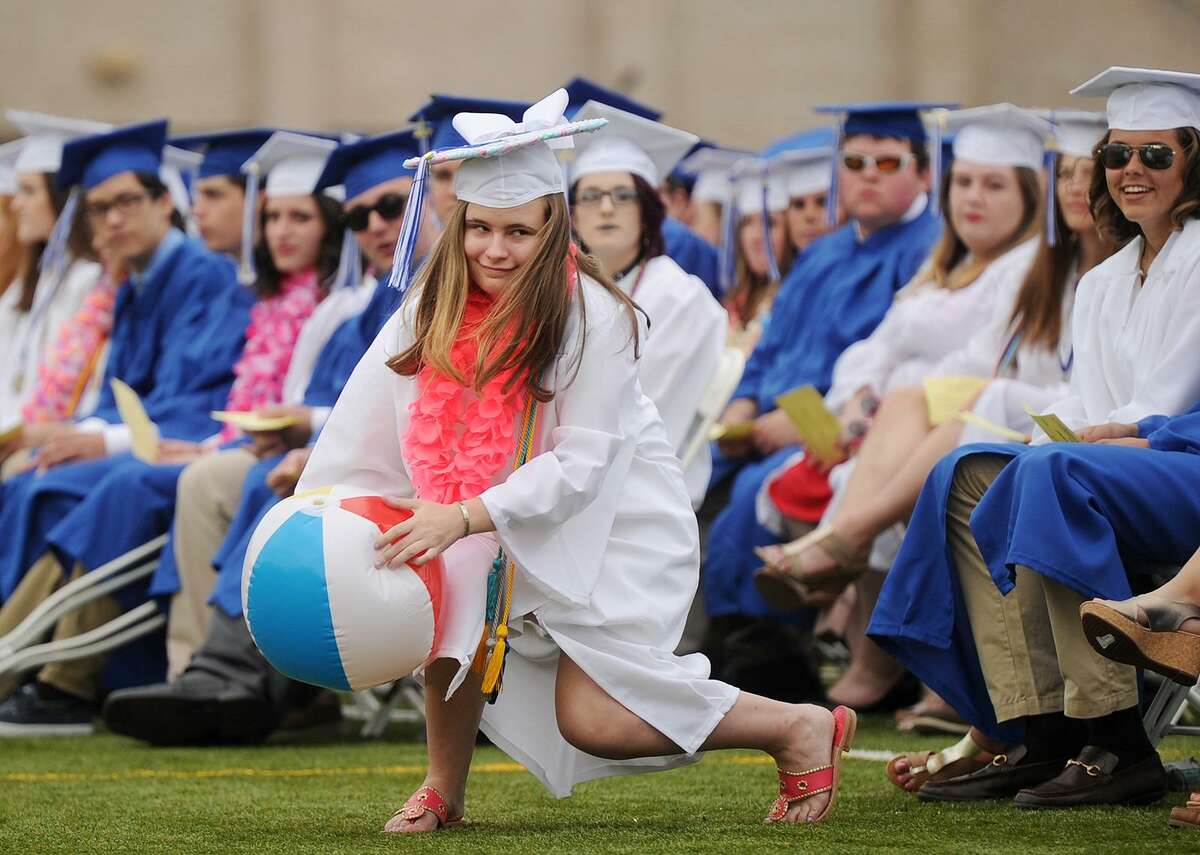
[(681, 354)]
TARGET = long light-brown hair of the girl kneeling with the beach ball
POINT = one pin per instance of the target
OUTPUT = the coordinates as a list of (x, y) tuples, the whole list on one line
[(526, 328)]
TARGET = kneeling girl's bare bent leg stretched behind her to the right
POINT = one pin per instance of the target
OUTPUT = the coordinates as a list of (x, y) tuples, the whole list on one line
[(799, 737)]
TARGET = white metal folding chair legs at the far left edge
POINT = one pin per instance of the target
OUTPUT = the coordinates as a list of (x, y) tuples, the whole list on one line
[(21, 650)]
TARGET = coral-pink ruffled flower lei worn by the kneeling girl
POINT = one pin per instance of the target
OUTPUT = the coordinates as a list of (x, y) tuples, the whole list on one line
[(457, 441)]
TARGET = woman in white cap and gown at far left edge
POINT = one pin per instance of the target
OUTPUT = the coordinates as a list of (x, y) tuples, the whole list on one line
[(57, 273)]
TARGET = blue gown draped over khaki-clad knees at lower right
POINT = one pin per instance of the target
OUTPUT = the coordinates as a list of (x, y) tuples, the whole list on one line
[(1076, 513)]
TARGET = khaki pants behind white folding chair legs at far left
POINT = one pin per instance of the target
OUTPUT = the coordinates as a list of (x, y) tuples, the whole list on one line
[(80, 678)]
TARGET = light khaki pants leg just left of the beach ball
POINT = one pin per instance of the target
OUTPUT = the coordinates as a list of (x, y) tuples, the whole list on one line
[(206, 501)]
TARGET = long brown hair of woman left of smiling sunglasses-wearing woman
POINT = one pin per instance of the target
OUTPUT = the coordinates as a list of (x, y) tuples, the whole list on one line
[(1037, 312)]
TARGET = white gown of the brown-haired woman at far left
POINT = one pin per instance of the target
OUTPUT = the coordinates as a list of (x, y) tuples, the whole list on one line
[(34, 333)]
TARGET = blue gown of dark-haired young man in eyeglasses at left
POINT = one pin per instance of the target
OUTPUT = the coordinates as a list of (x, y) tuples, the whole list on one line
[(177, 336)]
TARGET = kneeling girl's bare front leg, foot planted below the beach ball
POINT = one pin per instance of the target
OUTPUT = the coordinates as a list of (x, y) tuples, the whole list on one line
[(451, 727)]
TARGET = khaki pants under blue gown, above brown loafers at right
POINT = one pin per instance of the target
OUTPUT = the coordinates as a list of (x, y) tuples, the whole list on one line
[(1031, 644)]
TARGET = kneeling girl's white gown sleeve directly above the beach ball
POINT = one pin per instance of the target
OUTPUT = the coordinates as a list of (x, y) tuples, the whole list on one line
[(359, 445)]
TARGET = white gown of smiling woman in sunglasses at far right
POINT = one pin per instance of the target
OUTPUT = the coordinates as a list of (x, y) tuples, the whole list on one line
[(1137, 343)]
